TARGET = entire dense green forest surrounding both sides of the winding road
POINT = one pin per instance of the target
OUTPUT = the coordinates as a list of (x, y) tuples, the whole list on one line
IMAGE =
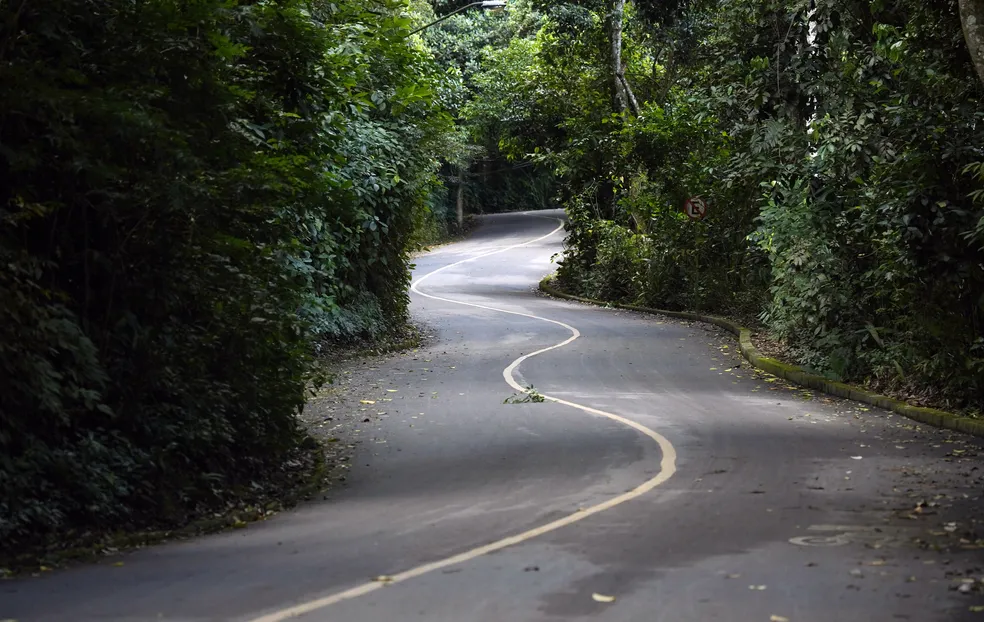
[(198, 194)]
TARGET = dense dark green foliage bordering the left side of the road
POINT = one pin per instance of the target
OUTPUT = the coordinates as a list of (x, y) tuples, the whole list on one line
[(190, 195)]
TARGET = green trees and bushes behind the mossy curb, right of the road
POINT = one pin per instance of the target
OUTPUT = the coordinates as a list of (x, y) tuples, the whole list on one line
[(838, 147)]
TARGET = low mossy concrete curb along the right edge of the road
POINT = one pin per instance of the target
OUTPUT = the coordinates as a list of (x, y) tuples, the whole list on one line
[(930, 416)]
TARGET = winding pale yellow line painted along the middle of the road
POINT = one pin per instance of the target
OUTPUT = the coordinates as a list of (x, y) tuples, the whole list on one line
[(667, 464)]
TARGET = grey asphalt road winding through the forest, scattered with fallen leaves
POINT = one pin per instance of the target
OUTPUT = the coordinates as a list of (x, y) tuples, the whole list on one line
[(669, 484)]
